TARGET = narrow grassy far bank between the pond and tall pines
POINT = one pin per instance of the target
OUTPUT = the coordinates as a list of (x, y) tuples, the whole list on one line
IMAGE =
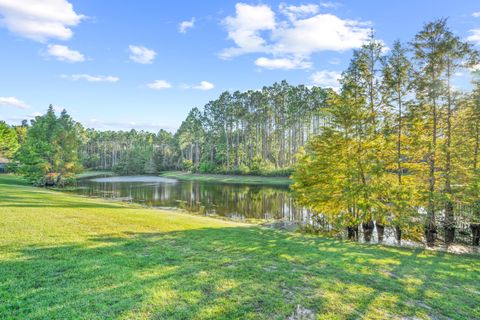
[(280, 181)]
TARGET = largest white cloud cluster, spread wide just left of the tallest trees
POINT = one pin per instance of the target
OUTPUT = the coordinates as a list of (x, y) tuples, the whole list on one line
[(294, 35)]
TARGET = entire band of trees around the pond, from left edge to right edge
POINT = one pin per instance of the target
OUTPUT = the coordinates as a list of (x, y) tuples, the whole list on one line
[(396, 145)]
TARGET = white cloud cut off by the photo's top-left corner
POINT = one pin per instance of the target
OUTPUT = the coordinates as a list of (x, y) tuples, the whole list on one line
[(39, 20)]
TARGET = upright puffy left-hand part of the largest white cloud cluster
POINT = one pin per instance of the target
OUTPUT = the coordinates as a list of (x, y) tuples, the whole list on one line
[(244, 28)]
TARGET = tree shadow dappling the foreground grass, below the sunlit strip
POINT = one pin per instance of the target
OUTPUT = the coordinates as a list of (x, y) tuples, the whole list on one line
[(240, 272)]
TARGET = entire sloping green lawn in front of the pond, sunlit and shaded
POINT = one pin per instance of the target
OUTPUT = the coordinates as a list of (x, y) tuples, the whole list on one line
[(68, 257)]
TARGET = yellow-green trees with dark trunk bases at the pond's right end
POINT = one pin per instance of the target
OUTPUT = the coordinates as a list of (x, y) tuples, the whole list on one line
[(403, 145)]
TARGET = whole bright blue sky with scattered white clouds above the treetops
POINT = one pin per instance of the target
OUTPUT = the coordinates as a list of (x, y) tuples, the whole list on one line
[(144, 64)]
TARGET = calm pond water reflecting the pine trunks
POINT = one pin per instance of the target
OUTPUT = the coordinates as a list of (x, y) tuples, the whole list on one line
[(234, 201)]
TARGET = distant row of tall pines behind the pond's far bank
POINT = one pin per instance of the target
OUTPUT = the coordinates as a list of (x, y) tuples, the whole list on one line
[(252, 132)]
